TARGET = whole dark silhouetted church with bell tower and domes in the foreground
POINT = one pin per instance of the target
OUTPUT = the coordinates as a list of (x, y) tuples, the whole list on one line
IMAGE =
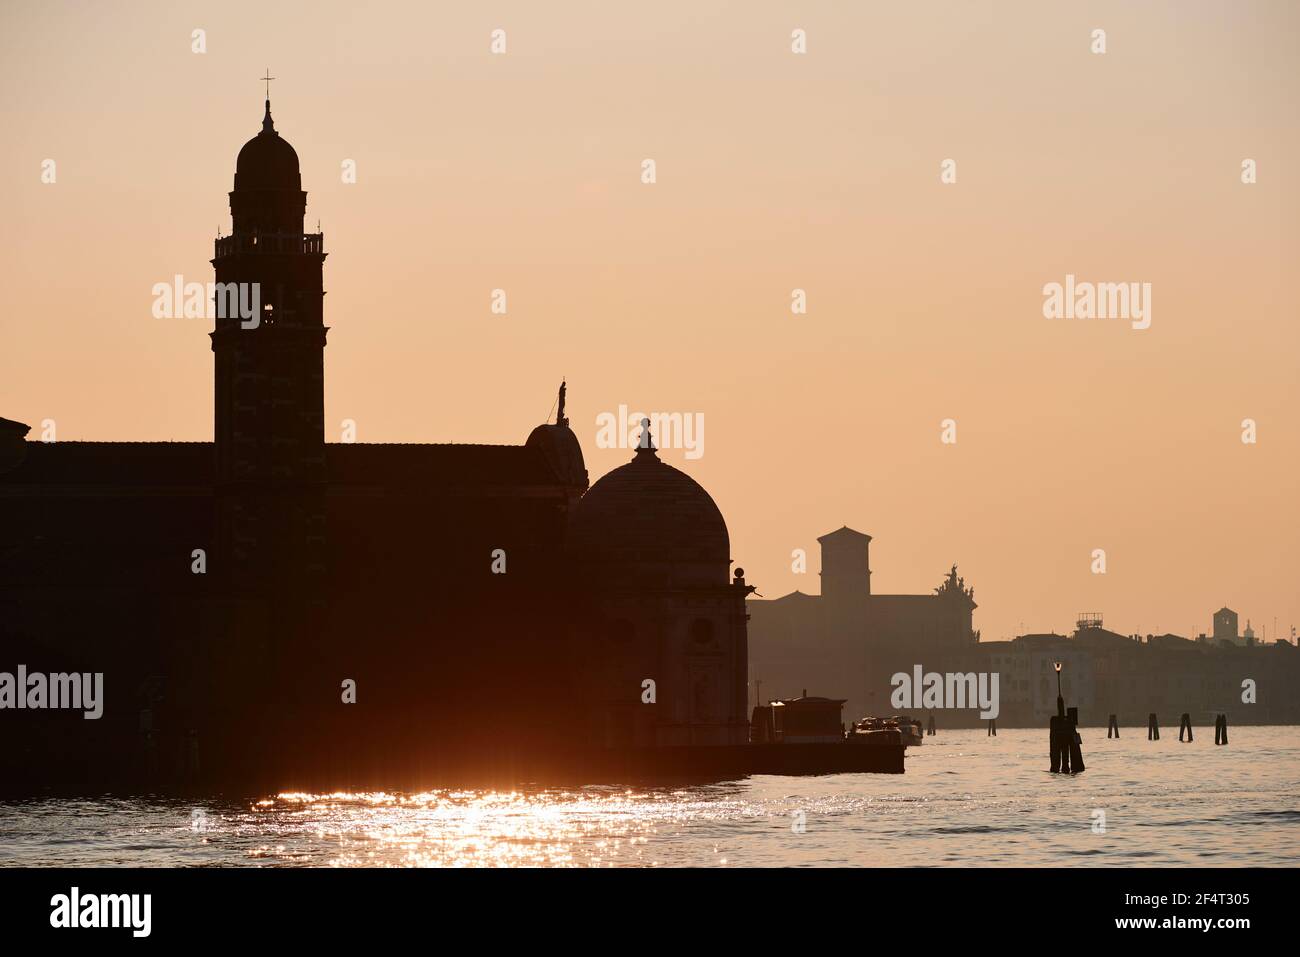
[(478, 596)]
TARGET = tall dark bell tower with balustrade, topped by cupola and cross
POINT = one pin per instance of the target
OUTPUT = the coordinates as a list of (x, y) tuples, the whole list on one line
[(270, 374)]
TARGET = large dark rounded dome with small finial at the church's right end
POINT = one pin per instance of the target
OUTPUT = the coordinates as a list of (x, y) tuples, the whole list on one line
[(651, 523)]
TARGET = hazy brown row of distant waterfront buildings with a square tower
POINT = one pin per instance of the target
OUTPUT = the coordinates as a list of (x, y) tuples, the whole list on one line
[(848, 643)]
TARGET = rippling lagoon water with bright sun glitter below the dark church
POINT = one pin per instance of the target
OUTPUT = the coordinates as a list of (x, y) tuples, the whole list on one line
[(967, 799)]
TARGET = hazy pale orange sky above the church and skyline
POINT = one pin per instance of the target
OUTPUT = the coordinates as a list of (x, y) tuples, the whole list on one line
[(775, 172)]
